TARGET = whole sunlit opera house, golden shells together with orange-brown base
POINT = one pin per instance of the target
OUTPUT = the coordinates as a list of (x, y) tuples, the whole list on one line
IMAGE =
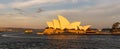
[(62, 25)]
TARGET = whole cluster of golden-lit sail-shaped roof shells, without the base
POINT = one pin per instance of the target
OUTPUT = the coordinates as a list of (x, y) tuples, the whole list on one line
[(63, 23)]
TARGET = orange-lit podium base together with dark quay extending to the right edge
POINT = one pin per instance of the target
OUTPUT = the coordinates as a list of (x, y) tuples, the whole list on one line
[(51, 31)]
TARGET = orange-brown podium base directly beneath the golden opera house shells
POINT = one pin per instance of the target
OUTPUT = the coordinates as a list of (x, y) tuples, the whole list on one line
[(51, 31)]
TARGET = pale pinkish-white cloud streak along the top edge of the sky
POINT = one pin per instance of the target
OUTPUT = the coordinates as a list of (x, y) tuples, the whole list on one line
[(30, 3)]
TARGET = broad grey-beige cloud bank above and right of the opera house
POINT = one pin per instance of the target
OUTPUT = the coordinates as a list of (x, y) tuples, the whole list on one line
[(99, 16)]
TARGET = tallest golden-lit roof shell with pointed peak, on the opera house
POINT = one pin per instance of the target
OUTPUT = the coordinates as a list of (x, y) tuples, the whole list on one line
[(63, 22)]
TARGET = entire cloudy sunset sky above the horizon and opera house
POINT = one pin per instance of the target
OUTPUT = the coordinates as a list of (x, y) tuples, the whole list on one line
[(35, 13)]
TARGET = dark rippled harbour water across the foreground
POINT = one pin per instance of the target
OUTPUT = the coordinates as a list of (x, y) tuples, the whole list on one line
[(17, 41)]
